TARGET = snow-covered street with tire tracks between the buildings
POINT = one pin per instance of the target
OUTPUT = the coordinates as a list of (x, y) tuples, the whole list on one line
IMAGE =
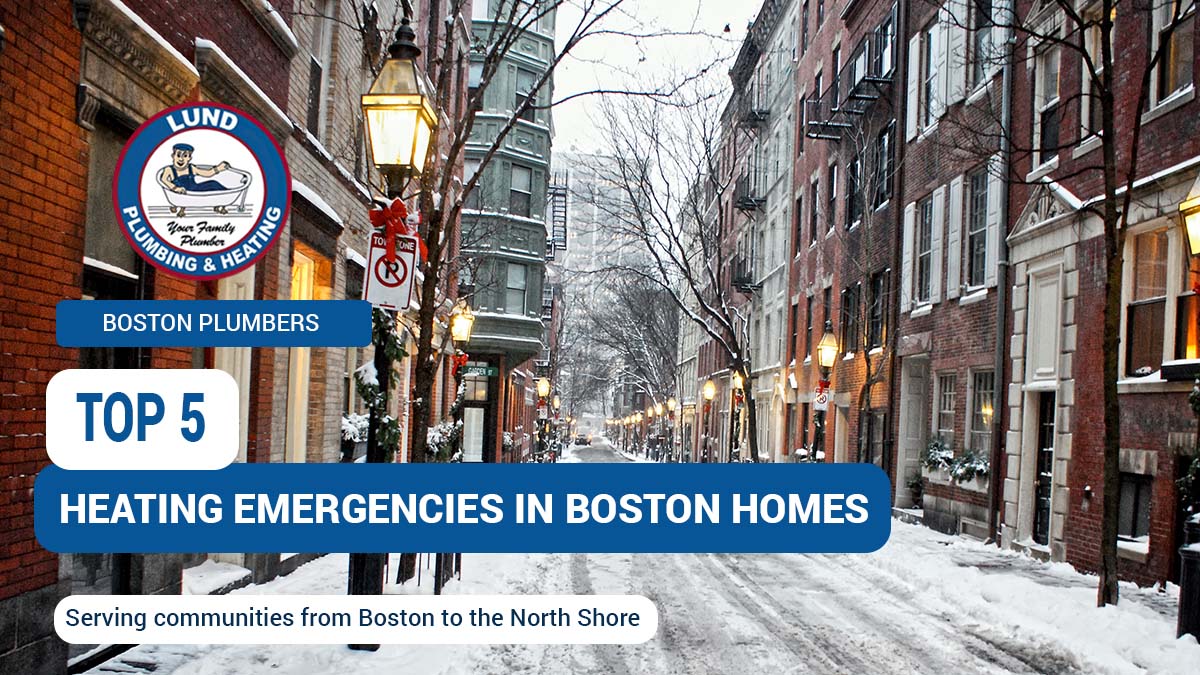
[(926, 604)]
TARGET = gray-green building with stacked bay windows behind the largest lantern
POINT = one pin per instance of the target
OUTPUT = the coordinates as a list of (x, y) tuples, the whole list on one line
[(505, 235)]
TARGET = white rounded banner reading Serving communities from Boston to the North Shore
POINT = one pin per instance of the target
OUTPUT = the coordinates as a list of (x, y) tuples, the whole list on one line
[(323, 620)]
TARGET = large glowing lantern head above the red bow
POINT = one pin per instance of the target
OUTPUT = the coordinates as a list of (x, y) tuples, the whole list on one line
[(399, 112)]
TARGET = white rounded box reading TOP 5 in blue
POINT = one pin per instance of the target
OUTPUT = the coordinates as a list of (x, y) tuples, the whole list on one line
[(142, 420)]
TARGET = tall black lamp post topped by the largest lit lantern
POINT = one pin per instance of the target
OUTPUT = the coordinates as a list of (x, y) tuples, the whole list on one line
[(400, 121)]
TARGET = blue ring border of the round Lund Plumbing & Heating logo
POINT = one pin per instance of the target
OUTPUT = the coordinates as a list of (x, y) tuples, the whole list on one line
[(128, 188)]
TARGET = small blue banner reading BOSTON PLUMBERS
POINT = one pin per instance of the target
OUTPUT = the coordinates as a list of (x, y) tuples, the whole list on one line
[(214, 324)]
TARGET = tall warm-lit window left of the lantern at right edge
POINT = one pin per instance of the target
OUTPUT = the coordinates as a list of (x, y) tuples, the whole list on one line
[(1145, 316)]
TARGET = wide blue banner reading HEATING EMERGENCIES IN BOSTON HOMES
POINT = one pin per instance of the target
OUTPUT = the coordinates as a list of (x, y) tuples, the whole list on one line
[(467, 509)]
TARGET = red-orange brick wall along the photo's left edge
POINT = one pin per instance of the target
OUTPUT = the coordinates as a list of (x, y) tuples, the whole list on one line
[(43, 204)]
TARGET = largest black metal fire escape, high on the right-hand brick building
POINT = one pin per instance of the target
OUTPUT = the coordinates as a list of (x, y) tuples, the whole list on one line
[(863, 81)]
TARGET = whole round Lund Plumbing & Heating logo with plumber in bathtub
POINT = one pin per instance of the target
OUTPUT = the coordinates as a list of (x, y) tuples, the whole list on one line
[(202, 190)]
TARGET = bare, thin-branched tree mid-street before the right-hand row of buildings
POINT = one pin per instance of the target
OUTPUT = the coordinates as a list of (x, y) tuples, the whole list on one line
[(668, 166)]
